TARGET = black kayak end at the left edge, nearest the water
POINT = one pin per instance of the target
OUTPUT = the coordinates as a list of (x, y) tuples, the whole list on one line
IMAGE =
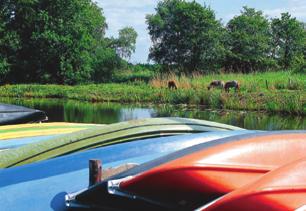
[(12, 114)]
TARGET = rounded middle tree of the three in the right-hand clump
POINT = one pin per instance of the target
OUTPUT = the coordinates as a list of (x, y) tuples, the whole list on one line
[(248, 42)]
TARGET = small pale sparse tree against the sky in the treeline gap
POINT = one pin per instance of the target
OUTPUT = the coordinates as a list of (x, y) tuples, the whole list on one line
[(126, 43)]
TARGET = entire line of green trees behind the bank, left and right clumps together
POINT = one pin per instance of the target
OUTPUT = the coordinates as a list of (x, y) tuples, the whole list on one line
[(64, 42)]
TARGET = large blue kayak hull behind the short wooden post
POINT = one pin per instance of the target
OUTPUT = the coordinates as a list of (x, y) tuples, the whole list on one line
[(43, 185)]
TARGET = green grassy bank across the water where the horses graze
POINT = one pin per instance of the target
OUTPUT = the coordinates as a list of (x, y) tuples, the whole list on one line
[(273, 92)]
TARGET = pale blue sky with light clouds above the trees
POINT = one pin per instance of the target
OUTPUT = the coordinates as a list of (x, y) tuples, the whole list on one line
[(122, 13)]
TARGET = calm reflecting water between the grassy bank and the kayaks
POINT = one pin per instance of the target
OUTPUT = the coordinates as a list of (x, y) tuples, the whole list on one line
[(106, 113)]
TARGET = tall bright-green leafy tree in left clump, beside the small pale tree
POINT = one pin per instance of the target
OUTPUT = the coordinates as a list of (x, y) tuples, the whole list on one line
[(66, 35)]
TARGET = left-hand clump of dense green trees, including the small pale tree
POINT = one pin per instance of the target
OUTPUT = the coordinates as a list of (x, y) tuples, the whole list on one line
[(59, 41)]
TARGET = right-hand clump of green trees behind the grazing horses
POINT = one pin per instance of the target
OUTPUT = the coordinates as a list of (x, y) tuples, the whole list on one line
[(187, 37)]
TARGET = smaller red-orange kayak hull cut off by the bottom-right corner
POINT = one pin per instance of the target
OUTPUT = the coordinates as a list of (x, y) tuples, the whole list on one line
[(281, 189)]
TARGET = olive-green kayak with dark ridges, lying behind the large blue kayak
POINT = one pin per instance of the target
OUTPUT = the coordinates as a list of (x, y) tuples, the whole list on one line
[(107, 135)]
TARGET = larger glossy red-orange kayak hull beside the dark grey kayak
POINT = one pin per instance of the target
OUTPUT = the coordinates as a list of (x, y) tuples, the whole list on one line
[(212, 172)]
